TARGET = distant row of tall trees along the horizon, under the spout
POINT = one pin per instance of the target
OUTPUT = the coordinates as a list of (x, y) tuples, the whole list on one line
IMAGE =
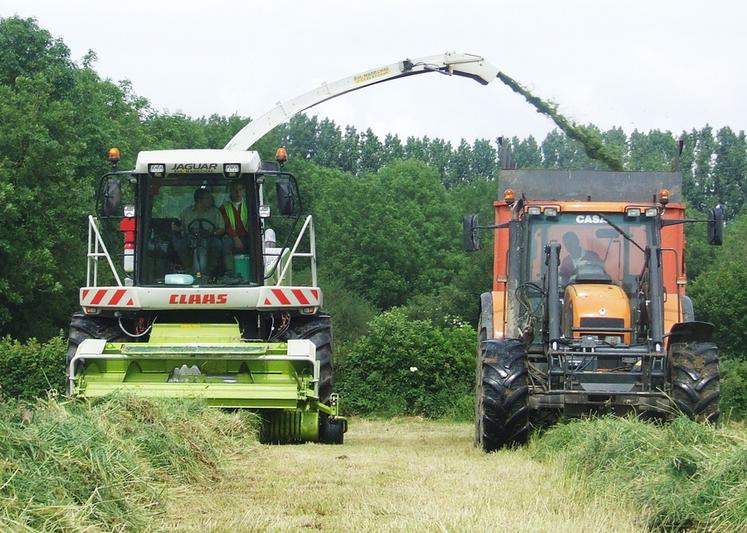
[(713, 163)]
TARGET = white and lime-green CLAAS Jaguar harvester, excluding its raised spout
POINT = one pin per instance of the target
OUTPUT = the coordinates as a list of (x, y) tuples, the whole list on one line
[(190, 292)]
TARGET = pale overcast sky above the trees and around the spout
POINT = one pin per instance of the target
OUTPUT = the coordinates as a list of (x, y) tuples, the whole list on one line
[(637, 64)]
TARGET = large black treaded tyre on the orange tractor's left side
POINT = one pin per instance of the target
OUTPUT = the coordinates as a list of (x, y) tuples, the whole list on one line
[(502, 407)]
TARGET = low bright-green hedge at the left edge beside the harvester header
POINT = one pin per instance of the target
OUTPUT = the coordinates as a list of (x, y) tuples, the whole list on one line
[(28, 370)]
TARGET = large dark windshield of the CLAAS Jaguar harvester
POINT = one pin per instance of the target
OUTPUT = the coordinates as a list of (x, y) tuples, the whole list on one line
[(197, 231)]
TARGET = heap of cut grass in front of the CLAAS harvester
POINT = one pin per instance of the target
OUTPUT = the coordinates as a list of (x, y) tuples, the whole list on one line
[(75, 466)]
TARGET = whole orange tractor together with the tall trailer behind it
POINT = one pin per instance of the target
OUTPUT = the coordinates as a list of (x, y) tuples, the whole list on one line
[(588, 310)]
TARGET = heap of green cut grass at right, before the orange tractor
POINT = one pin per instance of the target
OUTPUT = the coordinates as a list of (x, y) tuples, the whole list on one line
[(682, 476)]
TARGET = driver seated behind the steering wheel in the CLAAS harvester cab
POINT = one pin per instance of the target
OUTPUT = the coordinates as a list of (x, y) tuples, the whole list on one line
[(198, 235)]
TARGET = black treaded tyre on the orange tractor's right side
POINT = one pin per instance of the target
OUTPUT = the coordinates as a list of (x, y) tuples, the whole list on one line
[(695, 376)]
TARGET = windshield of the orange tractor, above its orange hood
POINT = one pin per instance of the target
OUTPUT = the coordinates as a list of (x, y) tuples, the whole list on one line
[(592, 250)]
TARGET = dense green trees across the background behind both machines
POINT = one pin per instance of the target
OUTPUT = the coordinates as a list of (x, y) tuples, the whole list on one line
[(387, 211)]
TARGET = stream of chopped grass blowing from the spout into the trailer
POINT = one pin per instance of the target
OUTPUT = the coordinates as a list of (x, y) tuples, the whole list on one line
[(590, 139)]
